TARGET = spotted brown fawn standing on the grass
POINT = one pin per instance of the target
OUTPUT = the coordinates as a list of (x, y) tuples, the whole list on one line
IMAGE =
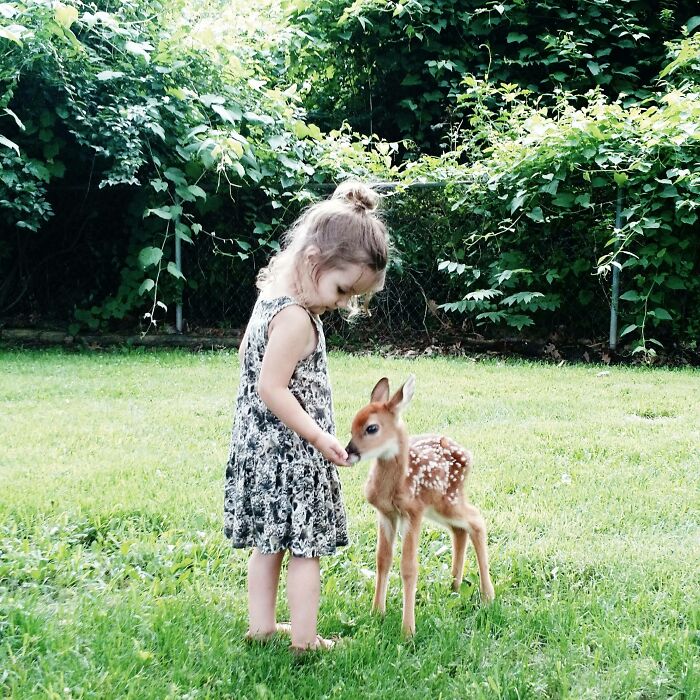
[(410, 478)]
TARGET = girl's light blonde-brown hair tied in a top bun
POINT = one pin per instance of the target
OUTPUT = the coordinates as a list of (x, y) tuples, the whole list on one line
[(345, 230)]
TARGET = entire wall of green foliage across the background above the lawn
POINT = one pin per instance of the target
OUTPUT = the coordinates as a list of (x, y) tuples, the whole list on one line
[(130, 129)]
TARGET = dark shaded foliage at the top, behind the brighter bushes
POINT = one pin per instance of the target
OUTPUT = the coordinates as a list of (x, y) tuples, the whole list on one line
[(394, 67)]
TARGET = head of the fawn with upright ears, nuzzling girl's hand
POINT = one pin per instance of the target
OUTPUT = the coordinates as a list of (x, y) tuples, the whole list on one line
[(376, 427)]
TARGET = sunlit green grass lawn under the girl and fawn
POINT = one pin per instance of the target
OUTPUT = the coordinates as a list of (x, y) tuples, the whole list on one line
[(116, 581)]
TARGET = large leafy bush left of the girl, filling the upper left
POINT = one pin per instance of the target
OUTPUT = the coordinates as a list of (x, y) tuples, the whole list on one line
[(165, 114)]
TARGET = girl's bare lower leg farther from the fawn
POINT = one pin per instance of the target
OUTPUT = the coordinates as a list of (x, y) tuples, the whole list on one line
[(263, 578)]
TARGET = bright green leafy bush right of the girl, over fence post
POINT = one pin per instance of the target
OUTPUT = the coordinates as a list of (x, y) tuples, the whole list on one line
[(544, 197)]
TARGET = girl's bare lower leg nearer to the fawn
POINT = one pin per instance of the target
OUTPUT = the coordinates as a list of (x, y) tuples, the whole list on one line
[(303, 592)]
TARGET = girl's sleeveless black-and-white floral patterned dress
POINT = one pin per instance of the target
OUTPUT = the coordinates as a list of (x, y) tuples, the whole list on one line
[(280, 492)]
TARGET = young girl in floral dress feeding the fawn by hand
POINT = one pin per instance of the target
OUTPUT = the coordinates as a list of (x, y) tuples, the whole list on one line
[(282, 488)]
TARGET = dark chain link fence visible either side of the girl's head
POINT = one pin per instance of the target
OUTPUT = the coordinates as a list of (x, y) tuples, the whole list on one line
[(407, 307)]
